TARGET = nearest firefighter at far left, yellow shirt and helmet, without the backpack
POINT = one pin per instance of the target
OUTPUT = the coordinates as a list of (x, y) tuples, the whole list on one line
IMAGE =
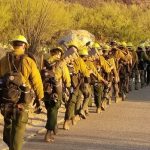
[(16, 114)]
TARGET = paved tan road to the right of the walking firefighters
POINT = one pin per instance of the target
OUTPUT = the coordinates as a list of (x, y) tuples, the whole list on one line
[(123, 126)]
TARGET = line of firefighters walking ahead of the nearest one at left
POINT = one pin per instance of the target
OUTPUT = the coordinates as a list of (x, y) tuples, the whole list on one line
[(101, 71)]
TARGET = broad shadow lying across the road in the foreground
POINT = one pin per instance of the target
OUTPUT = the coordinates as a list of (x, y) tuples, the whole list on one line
[(98, 142)]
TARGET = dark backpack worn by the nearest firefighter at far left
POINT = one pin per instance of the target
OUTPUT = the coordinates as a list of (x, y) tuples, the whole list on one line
[(11, 83)]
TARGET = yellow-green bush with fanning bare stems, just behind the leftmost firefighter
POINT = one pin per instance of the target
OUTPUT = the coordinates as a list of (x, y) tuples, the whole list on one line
[(38, 20)]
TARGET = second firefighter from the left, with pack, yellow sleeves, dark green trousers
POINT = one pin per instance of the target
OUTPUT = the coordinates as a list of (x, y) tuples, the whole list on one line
[(55, 75)]
